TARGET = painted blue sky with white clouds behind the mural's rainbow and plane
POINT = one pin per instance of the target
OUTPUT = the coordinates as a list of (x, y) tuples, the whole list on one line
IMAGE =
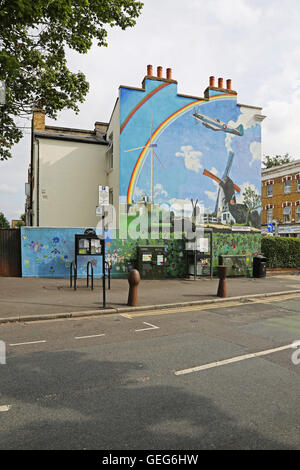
[(186, 148)]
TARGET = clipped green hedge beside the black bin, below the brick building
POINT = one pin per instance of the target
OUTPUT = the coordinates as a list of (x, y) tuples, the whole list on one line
[(281, 252)]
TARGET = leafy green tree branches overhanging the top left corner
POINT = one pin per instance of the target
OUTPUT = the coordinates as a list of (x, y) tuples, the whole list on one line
[(34, 35)]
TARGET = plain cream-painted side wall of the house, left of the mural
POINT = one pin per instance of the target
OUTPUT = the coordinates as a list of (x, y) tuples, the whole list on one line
[(69, 178)]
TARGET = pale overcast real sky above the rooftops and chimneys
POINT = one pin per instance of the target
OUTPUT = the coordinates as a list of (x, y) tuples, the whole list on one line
[(256, 43)]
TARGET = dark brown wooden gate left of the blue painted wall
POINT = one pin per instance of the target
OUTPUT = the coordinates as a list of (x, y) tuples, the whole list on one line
[(10, 252)]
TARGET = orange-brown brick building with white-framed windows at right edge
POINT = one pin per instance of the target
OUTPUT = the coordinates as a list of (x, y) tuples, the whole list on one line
[(281, 199)]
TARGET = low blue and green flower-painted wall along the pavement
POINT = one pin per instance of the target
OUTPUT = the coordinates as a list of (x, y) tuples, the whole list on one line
[(48, 252)]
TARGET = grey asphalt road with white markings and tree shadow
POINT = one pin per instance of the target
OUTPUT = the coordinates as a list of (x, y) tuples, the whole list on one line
[(155, 380)]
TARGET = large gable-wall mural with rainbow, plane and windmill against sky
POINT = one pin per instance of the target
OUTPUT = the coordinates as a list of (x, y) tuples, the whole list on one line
[(174, 148)]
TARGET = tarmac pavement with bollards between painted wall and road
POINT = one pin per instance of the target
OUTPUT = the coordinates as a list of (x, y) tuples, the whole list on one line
[(42, 298)]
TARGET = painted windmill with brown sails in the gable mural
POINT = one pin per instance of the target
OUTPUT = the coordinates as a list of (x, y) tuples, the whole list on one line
[(226, 194)]
